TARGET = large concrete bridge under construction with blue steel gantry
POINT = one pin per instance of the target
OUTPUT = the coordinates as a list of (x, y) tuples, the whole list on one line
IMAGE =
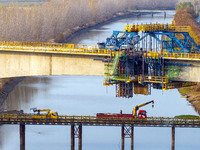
[(162, 56)]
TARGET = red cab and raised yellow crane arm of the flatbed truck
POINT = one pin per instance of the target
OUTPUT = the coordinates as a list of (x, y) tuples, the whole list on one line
[(142, 113)]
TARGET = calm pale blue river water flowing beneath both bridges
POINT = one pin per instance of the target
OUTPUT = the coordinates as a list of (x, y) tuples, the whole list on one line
[(86, 95)]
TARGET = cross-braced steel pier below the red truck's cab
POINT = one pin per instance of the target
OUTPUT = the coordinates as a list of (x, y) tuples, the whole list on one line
[(127, 132)]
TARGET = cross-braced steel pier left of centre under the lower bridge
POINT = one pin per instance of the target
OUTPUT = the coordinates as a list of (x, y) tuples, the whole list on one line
[(76, 132)]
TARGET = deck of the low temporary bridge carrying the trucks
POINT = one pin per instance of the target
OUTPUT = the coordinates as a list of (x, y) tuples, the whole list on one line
[(94, 121)]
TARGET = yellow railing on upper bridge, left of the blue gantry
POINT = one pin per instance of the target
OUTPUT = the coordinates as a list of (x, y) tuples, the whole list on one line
[(54, 48)]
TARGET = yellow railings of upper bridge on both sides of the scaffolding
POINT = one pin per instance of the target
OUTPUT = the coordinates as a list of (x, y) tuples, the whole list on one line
[(82, 49)]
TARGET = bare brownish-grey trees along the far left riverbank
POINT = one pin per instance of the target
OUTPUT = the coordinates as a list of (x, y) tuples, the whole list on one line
[(42, 21)]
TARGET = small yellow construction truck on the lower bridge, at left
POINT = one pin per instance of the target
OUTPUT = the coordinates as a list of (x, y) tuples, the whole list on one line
[(44, 113)]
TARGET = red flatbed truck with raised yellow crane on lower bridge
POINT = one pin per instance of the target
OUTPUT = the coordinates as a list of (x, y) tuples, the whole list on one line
[(142, 114)]
